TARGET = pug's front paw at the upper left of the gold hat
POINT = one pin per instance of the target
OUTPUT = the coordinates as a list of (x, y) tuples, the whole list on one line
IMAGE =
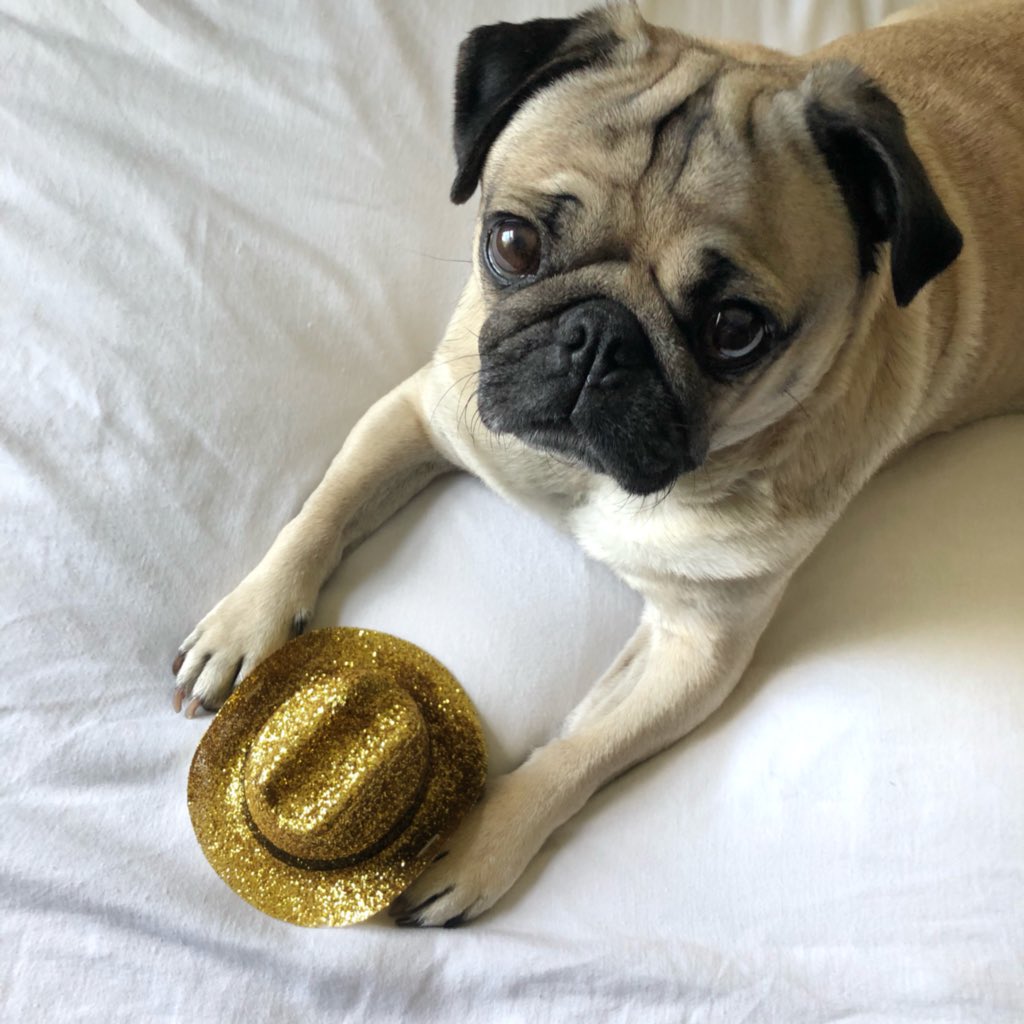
[(242, 630)]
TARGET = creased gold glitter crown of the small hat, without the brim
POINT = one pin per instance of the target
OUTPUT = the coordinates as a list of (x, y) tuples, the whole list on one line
[(337, 769)]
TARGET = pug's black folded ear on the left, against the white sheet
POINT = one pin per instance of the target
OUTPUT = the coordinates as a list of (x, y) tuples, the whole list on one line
[(502, 66)]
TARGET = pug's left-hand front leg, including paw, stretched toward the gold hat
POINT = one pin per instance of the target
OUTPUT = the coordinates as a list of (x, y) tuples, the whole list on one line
[(390, 456)]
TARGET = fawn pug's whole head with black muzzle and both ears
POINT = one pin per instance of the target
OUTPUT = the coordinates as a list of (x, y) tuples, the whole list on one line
[(673, 240)]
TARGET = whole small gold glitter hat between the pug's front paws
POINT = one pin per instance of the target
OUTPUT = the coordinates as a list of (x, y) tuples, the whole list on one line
[(330, 778)]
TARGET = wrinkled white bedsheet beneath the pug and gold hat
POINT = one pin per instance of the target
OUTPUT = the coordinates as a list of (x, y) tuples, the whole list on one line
[(224, 233)]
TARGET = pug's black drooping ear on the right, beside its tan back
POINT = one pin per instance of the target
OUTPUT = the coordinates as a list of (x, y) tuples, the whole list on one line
[(862, 135)]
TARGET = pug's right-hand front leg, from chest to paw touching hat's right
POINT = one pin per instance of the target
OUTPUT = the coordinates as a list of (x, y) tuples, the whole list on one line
[(672, 675)]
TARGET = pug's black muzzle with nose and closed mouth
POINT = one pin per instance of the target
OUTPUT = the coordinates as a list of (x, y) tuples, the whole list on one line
[(585, 385)]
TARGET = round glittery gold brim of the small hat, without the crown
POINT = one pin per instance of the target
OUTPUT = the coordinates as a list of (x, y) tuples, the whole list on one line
[(307, 895)]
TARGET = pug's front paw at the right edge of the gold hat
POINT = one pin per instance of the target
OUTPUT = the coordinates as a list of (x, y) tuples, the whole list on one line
[(483, 860)]
